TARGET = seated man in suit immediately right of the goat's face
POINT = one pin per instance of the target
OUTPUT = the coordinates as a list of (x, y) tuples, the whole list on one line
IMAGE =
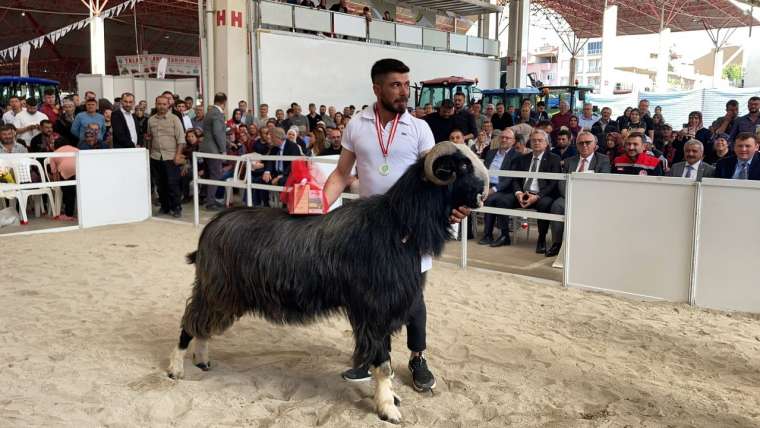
[(499, 160)]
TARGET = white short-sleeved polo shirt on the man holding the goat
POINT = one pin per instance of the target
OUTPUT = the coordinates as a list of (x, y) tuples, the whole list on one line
[(413, 138)]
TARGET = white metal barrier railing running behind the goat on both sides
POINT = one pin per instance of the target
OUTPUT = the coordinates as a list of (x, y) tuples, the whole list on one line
[(248, 186)]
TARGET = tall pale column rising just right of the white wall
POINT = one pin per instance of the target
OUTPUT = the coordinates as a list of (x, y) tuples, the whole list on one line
[(517, 47)]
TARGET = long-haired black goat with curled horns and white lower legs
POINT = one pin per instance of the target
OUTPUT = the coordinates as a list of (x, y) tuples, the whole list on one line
[(252, 261)]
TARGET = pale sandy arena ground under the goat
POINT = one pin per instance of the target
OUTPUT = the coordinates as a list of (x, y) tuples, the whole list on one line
[(90, 317)]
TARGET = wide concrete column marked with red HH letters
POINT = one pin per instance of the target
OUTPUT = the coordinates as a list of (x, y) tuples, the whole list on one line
[(231, 56)]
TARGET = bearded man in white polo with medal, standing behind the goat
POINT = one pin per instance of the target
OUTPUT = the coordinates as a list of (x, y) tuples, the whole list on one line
[(383, 140)]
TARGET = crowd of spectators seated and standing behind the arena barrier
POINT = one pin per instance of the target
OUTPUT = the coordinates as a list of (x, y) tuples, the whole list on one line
[(526, 138)]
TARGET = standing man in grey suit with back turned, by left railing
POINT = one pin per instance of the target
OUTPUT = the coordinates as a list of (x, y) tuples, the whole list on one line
[(214, 141)]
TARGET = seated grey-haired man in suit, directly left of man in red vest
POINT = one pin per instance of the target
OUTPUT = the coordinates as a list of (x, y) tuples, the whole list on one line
[(587, 160)]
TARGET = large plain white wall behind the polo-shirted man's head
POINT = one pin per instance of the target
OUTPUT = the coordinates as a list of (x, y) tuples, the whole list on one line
[(306, 69)]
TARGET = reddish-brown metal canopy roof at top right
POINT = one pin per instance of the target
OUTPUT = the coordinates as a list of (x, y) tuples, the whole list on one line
[(645, 16)]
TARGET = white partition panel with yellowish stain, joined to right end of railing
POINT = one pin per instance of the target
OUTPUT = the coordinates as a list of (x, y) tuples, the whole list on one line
[(631, 235)]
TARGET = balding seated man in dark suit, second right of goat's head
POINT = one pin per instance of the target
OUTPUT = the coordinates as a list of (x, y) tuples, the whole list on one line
[(531, 192)]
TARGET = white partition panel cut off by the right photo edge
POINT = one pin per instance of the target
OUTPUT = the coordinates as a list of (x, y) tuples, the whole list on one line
[(728, 246)]
